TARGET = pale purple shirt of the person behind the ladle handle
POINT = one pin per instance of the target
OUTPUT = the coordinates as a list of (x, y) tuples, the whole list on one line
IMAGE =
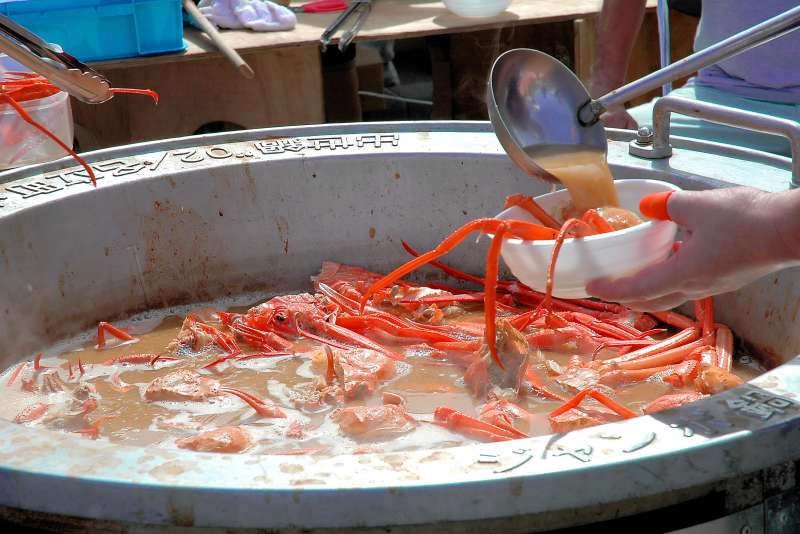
[(768, 72)]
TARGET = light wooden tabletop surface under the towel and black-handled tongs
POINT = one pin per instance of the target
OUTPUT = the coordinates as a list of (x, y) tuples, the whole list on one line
[(389, 19)]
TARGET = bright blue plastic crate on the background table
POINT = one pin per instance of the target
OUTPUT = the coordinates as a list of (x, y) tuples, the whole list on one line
[(96, 30)]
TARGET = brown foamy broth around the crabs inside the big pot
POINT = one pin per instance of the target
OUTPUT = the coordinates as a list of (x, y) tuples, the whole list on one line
[(424, 380)]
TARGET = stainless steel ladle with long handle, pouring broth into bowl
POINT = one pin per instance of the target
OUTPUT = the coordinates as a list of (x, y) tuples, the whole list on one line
[(535, 102)]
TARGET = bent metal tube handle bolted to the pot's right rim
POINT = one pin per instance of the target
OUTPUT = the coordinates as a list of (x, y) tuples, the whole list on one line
[(655, 144)]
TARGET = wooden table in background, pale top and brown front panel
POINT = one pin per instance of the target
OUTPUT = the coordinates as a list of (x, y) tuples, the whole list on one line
[(199, 86)]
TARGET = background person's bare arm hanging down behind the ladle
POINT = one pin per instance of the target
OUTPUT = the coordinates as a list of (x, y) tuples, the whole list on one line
[(617, 27)]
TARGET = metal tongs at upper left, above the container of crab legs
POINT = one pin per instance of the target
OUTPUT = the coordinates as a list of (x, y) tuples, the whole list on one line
[(63, 70)]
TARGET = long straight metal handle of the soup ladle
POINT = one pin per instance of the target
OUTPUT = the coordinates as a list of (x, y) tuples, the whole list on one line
[(759, 34)]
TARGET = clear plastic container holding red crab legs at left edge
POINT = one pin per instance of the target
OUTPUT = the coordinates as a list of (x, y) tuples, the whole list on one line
[(21, 143)]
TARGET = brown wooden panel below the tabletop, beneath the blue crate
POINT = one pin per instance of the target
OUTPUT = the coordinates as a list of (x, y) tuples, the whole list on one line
[(287, 90)]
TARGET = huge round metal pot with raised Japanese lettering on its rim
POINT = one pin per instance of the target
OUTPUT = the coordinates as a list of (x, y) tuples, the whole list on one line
[(201, 218)]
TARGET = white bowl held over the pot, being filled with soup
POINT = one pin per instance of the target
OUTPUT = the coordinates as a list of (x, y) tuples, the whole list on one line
[(614, 254)]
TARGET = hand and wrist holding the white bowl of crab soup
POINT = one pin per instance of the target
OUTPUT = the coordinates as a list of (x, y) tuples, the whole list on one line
[(732, 237)]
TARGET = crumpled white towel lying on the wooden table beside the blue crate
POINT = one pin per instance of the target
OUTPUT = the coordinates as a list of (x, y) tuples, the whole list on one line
[(257, 15)]
